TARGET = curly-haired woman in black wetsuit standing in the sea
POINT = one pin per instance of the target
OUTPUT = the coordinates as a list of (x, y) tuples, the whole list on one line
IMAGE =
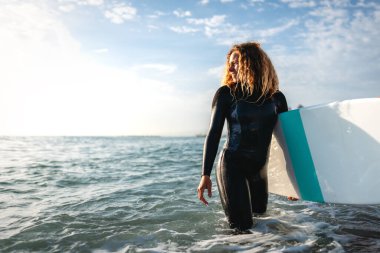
[(250, 101)]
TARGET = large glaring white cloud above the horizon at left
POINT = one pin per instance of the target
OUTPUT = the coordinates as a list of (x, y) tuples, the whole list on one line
[(49, 86)]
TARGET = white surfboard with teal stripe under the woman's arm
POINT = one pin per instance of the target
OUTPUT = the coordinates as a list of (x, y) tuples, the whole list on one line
[(328, 153)]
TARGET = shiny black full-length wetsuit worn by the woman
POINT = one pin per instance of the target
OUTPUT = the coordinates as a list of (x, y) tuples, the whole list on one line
[(241, 172)]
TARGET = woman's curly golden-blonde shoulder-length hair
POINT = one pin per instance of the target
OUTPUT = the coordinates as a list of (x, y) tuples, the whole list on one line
[(256, 73)]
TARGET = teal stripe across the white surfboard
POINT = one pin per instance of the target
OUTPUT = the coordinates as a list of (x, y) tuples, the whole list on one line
[(299, 152)]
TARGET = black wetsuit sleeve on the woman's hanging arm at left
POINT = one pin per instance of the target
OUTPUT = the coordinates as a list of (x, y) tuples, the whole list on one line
[(218, 115)]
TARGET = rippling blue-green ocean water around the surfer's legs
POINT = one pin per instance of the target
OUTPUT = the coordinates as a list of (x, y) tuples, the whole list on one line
[(138, 194)]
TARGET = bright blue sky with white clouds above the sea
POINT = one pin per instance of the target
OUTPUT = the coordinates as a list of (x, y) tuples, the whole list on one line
[(151, 67)]
